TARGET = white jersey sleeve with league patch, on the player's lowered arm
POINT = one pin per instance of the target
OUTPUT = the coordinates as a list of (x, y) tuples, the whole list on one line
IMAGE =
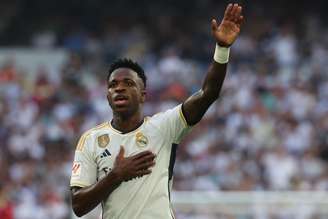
[(84, 169)]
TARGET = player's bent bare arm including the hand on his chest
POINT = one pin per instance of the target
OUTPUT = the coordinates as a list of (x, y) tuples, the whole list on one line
[(87, 198)]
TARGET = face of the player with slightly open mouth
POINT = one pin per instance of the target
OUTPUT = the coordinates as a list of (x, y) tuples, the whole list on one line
[(126, 92)]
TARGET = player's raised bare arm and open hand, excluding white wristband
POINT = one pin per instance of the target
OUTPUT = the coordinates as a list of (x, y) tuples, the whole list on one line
[(225, 34)]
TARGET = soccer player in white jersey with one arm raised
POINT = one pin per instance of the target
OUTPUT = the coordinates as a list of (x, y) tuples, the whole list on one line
[(126, 164)]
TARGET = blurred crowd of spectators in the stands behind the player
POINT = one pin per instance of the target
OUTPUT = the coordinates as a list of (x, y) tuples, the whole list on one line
[(267, 131)]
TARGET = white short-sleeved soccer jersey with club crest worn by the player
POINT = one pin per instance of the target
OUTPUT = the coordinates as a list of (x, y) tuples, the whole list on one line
[(147, 197)]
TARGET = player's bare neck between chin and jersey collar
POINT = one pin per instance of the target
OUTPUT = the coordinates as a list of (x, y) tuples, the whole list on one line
[(125, 124)]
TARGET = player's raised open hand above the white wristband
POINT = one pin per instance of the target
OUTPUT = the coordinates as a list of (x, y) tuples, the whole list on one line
[(228, 30)]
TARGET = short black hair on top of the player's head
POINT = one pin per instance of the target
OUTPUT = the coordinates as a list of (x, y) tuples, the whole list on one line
[(127, 63)]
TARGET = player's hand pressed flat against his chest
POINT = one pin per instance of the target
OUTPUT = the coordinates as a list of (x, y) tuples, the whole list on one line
[(138, 165)]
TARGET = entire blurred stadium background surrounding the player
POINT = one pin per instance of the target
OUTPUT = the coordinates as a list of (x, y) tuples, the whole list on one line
[(260, 152)]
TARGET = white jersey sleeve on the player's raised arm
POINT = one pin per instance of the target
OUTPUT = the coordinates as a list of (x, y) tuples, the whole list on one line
[(173, 124)]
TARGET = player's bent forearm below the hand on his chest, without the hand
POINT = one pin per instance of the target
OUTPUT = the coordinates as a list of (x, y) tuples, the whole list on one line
[(87, 198)]
